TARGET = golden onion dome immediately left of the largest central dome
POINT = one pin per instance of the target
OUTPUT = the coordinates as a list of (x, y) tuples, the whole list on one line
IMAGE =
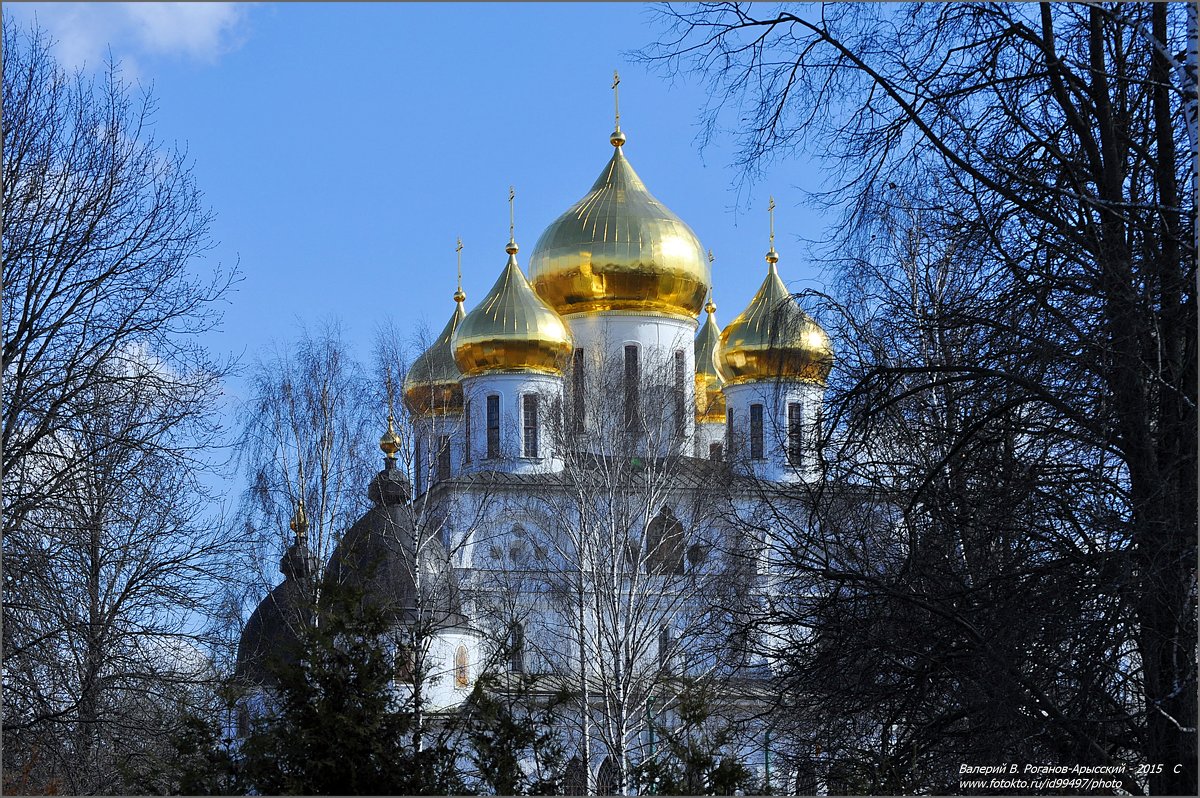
[(512, 329)]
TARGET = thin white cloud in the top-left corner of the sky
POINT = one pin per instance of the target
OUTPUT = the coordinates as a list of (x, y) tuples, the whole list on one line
[(136, 32)]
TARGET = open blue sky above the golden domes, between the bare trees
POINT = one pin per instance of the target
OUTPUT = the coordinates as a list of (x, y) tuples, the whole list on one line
[(344, 147)]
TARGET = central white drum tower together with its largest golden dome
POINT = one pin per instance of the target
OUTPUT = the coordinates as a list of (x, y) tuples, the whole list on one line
[(631, 279)]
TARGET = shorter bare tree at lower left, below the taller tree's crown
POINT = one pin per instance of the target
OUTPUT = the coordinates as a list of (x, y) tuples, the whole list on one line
[(107, 615)]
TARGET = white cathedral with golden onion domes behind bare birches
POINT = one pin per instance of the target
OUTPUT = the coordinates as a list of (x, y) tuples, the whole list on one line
[(591, 421)]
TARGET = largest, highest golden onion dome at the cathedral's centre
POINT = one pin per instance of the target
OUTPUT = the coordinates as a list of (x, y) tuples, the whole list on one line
[(620, 249)]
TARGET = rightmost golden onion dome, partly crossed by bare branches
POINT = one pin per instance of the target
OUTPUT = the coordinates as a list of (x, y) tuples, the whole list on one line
[(775, 339)]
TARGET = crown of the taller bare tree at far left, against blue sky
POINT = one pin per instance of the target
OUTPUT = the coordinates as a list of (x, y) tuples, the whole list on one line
[(101, 232)]
